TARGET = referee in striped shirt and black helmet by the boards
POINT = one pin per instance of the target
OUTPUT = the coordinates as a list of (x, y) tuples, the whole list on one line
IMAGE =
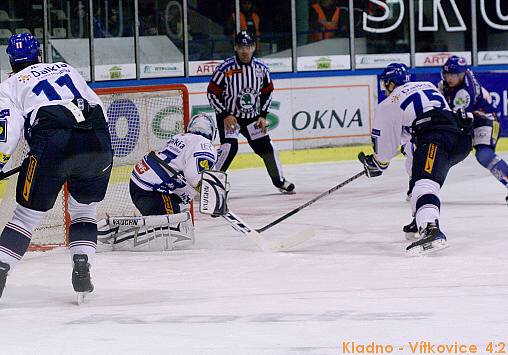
[(240, 92)]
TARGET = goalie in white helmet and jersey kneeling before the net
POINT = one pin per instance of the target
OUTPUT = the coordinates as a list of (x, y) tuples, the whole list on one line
[(164, 183)]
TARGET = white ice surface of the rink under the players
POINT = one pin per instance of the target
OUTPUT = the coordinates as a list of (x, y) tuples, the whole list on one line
[(351, 282)]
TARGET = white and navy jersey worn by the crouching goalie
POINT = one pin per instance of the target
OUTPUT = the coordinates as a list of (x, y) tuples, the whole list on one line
[(188, 154)]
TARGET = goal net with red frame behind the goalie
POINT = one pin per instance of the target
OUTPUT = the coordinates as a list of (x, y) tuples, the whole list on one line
[(140, 119)]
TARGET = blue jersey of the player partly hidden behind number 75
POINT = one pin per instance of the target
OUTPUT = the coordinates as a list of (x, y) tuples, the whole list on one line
[(470, 96)]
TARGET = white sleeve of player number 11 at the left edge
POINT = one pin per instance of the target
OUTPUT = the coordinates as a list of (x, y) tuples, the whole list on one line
[(11, 129)]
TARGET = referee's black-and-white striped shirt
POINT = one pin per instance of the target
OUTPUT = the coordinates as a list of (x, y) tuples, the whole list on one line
[(241, 90)]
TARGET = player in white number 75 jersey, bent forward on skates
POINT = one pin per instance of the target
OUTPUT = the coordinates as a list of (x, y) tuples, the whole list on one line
[(416, 112)]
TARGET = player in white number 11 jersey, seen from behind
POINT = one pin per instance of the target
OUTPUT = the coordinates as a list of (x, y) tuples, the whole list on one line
[(68, 136)]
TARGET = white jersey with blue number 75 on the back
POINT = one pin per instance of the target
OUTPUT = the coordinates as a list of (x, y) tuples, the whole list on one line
[(394, 117)]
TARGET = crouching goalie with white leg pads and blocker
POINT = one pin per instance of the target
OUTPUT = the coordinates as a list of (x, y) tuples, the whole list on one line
[(162, 186)]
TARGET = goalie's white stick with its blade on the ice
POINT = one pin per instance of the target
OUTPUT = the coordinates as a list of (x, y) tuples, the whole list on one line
[(242, 227)]
